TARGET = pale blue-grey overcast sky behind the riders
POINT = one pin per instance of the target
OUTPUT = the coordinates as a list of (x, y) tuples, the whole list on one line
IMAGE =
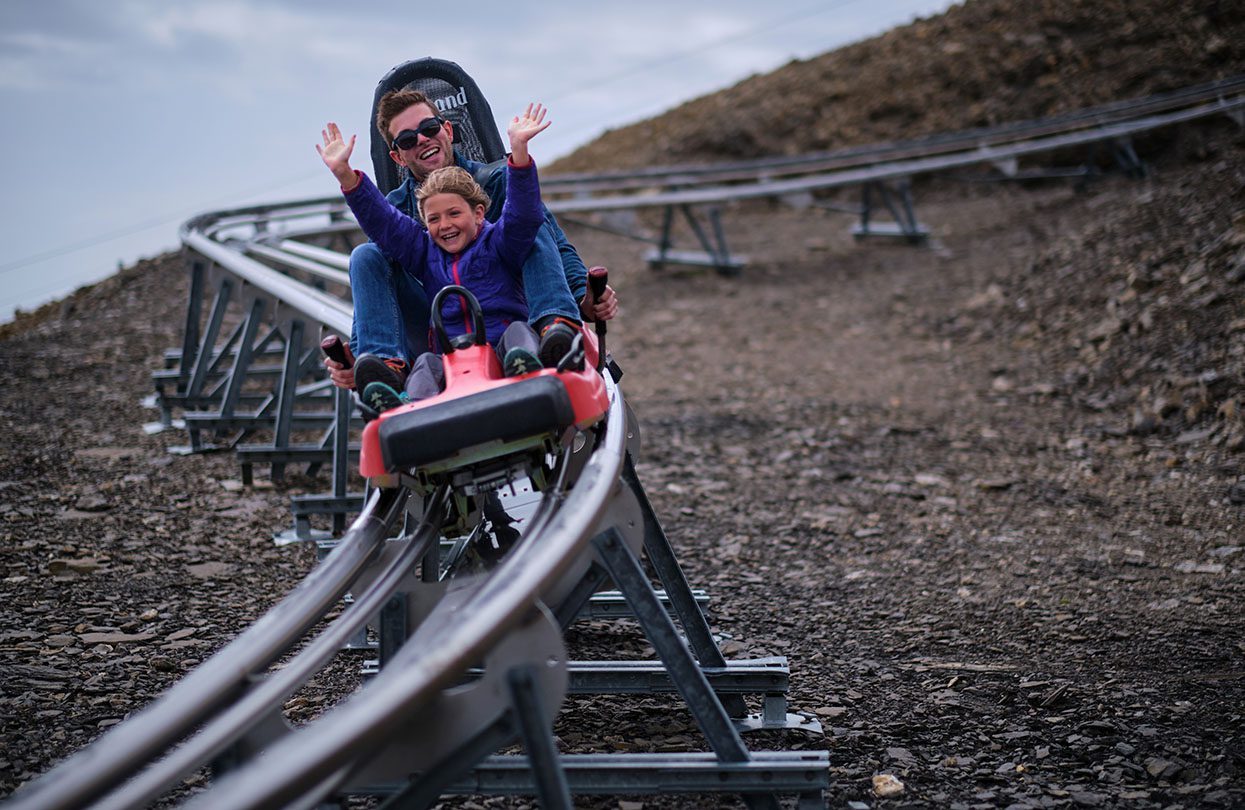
[(125, 119)]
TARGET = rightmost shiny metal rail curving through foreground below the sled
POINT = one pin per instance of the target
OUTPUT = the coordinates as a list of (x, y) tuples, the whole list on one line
[(443, 650)]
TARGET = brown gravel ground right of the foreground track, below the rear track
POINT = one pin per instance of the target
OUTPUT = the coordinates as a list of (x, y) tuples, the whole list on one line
[(987, 497)]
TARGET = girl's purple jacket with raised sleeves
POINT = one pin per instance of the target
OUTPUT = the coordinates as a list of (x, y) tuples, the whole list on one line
[(491, 267)]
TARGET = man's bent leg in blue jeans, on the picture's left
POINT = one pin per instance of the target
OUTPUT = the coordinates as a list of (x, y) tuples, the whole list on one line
[(392, 308)]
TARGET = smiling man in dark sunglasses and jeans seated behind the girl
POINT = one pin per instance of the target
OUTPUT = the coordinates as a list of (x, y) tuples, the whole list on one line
[(392, 308)]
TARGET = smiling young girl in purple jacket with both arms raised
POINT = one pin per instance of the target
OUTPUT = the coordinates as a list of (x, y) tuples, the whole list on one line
[(460, 247)]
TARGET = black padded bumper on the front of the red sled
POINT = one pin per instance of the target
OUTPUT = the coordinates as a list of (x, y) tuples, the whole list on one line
[(520, 411)]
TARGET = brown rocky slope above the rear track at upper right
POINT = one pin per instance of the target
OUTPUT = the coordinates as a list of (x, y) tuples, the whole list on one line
[(980, 64)]
